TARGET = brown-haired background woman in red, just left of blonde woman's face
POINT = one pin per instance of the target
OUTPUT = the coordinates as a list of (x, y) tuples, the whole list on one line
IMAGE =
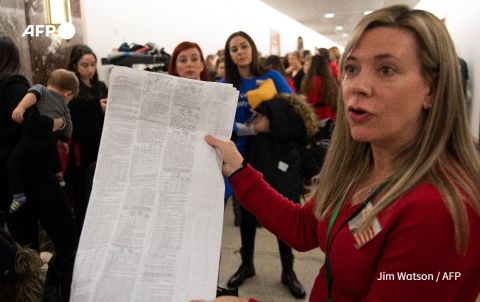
[(321, 88)]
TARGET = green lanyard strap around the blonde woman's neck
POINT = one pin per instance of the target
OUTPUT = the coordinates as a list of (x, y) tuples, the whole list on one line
[(328, 271)]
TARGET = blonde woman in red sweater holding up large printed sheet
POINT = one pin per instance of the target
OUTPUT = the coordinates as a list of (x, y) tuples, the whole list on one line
[(397, 208)]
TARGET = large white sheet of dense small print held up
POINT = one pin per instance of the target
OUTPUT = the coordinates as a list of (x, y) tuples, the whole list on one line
[(154, 220)]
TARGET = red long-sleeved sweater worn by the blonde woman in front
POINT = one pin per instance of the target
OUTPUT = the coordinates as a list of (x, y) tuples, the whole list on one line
[(417, 237)]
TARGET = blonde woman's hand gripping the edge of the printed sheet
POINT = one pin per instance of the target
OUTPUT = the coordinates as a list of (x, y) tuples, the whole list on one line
[(232, 159)]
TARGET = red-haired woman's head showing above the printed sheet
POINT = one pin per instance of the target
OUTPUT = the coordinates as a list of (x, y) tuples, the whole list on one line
[(187, 62)]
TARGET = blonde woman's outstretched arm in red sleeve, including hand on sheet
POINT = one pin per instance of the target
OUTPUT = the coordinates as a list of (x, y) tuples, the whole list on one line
[(293, 224)]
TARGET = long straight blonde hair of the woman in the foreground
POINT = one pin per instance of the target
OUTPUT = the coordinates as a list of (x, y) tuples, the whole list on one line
[(443, 153)]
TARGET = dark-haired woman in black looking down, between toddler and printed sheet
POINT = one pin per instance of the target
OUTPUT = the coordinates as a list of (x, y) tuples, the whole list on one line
[(87, 111)]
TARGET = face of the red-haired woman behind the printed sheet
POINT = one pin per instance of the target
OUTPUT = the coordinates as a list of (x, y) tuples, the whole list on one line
[(189, 64)]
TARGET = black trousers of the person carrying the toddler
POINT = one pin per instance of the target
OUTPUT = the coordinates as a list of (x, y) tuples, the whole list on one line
[(48, 204)]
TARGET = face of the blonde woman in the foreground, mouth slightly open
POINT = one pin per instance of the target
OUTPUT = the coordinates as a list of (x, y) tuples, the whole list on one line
[(384, 93)]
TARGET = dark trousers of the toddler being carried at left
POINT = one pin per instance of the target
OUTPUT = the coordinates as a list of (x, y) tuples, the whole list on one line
[(26, 149)]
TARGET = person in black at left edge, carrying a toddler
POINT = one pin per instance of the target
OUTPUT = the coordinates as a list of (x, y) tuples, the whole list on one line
[(47, 200)]
